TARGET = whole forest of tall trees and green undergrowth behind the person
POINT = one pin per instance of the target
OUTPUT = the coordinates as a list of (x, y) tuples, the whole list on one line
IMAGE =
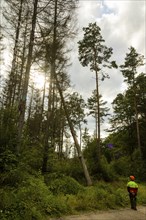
[(50, 164)]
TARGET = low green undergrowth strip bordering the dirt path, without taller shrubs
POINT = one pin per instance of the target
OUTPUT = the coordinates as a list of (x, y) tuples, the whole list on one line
[(33, 199)]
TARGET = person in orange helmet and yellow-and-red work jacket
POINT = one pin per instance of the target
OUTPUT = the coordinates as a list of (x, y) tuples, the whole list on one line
[(132, 188)]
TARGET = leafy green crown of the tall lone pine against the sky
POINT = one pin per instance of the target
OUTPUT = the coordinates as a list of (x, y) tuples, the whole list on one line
[(92, 48)]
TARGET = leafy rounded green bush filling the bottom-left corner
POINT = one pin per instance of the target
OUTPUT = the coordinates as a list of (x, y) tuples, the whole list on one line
[(25, 202)]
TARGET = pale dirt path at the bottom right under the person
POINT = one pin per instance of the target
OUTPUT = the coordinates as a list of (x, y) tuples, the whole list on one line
[(124, 214)]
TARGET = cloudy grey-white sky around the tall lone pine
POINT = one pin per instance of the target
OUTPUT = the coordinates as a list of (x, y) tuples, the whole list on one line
[(122, 25)]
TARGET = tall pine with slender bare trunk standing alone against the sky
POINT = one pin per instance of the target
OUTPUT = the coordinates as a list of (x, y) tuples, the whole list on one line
[(94, 53)]
